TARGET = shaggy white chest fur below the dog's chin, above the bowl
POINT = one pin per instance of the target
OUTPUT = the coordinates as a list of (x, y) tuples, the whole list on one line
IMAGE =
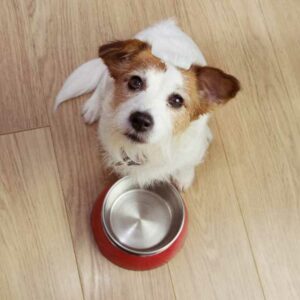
[(171, 158)]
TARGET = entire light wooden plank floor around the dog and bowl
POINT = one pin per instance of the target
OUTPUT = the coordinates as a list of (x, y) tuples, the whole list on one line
[(244, 207)]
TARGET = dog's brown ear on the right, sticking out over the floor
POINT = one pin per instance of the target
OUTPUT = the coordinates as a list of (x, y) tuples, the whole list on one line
[(215, 85)]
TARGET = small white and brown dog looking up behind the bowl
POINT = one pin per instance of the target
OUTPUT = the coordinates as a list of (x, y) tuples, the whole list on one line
[(152, 96)]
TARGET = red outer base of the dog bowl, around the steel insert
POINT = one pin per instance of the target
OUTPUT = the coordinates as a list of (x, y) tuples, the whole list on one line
[(124, 259)]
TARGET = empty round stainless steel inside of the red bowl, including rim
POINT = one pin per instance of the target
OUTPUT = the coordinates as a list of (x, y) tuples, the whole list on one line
[(142, 221)]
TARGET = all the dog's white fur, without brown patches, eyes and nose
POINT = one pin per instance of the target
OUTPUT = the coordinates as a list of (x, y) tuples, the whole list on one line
[(164, 156)]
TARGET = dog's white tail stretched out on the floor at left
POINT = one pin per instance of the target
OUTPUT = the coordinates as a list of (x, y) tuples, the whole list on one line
[(83, 80)]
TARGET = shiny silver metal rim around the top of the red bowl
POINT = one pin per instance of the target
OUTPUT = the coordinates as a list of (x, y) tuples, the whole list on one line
[(118, 244)]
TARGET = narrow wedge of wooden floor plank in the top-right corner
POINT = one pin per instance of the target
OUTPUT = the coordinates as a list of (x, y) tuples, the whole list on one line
[(282, 22)]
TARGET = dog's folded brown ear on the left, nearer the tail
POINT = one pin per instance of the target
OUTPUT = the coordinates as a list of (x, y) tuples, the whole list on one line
[(117, 55)]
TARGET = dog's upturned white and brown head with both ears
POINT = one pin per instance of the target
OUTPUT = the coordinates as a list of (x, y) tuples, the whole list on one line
[(154, 100)]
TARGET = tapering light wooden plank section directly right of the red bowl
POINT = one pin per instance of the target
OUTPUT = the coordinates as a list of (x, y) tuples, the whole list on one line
[(216, 262)]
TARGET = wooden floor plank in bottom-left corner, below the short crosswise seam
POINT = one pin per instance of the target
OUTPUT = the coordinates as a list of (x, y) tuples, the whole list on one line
[(36, 253)]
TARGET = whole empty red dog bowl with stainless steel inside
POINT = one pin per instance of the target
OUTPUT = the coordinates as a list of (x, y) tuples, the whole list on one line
[(137, 228)]
